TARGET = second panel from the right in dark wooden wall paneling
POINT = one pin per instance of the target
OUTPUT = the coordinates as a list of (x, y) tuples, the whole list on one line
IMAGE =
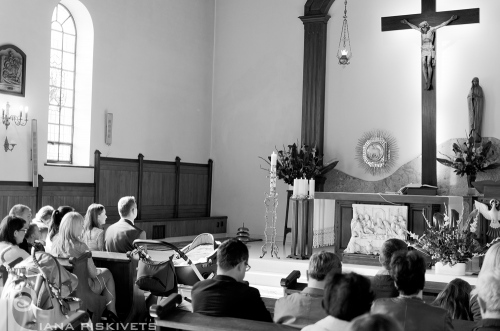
[(158, 190)]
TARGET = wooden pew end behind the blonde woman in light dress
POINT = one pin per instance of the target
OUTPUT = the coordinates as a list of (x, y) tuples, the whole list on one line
[(91, 302)]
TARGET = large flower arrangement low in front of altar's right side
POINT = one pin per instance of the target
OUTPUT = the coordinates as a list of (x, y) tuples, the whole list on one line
[(450, 244)]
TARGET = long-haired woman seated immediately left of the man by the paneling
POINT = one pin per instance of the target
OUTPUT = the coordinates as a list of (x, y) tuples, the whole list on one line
[(93, 235)]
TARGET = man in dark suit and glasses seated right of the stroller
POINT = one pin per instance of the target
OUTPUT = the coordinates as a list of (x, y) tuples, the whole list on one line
[(226, 294)]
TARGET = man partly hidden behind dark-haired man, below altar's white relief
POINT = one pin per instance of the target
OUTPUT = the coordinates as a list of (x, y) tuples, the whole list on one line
[(382, 283)]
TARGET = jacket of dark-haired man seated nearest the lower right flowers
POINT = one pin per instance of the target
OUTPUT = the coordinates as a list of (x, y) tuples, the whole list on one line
[(413, 314)]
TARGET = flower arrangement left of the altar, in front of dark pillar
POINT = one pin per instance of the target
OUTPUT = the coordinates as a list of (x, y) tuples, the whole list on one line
[(304, 162)]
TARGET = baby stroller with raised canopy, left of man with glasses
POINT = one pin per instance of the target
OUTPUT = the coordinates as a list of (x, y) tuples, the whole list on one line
[(187, 266)]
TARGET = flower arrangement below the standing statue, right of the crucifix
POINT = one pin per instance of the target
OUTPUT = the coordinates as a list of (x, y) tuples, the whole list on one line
[(469, 159)]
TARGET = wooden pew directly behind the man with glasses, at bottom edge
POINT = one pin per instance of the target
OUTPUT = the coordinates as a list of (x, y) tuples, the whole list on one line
[(168, 316)]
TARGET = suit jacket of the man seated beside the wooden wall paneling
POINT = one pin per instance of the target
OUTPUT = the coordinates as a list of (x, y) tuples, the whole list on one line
[(121, 235)]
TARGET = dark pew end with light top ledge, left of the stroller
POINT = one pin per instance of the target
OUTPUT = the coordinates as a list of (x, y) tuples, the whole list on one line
[(130, 301)]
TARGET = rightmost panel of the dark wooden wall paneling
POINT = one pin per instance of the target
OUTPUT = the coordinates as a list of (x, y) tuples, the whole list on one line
[(193, 195)]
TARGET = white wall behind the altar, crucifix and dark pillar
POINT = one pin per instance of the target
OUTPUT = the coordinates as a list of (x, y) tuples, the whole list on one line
[(258, 89)]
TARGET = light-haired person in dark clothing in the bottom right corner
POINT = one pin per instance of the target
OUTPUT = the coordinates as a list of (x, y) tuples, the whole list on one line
[(488, 297)]
